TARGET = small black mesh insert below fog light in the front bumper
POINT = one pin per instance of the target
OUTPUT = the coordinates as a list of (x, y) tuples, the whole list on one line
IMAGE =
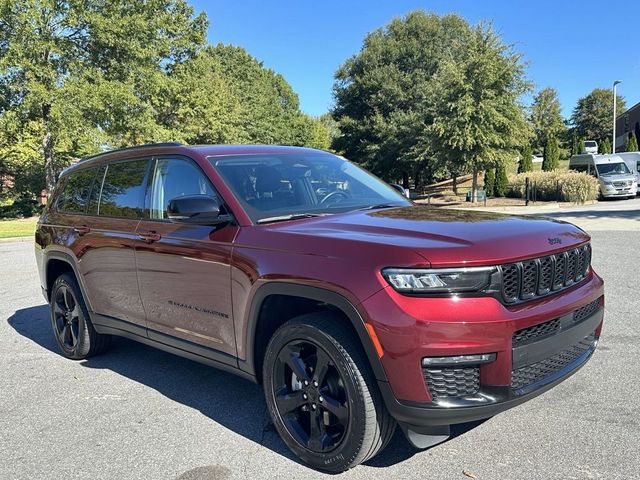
[(452, 382)]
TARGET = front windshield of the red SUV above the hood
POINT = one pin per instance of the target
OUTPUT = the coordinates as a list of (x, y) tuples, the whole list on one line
[(276, 185)]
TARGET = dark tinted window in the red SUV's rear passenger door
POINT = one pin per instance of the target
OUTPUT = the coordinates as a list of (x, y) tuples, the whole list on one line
[(123, 190)]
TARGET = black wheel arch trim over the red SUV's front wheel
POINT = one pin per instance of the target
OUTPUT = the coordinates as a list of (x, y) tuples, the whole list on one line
[(320, 296)]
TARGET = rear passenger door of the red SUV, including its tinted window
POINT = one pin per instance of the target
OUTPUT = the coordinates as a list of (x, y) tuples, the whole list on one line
[(107, 259)]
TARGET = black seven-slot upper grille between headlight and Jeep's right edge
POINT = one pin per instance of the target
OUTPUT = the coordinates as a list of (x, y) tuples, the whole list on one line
[(538, 277)]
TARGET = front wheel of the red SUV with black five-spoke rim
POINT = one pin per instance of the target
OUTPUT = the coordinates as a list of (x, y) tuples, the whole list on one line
[(351, 422)]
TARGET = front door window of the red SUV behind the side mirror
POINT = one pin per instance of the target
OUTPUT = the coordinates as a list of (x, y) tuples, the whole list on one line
[(173, 178)]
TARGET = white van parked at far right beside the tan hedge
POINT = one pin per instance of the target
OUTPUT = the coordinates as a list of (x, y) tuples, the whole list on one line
[(613, 174)]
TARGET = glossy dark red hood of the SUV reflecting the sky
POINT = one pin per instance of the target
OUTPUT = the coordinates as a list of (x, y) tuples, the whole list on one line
[(443, 237)]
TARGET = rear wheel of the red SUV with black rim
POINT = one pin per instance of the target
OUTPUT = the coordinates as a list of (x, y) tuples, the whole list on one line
[(72, 328)]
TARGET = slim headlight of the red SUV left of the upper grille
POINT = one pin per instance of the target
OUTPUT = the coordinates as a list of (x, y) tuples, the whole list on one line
[(439, 280)]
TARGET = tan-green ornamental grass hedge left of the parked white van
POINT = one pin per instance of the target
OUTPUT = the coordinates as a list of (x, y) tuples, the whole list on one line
[(573, 186)]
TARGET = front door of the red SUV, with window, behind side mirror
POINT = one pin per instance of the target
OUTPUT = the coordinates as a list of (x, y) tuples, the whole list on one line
[(184, 270)]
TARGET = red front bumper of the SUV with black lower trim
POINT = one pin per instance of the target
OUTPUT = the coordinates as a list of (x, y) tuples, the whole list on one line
[(522, 369)]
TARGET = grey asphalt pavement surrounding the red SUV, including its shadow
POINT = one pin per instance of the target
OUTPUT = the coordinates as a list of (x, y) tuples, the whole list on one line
[(136, 412)]
